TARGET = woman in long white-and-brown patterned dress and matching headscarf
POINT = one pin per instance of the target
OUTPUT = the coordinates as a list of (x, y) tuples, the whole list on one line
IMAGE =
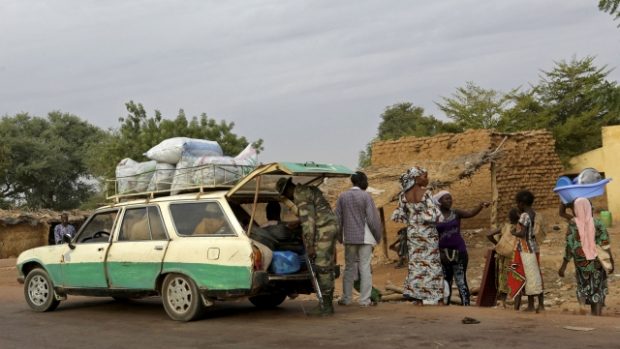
[(416, 208)]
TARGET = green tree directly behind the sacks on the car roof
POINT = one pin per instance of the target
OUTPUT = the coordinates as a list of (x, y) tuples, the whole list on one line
[(139, 132)]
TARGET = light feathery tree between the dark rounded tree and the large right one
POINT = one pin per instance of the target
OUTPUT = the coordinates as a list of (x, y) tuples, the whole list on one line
[(474, 107)]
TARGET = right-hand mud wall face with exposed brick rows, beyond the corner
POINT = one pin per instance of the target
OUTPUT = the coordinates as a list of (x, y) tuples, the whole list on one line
[(528, 161)]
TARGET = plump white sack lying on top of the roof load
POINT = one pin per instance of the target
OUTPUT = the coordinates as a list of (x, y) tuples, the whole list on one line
[(170, 150)]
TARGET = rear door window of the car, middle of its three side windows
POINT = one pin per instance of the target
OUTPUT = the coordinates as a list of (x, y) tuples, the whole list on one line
[(142, 224)]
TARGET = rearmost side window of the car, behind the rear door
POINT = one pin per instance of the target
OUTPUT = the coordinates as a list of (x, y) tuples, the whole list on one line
[(200, 219)]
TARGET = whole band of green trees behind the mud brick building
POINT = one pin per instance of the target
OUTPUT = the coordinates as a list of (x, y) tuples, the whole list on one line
[(573, 100)]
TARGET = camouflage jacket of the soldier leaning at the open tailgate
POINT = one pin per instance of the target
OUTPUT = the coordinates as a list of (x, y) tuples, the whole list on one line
[(315, 214)]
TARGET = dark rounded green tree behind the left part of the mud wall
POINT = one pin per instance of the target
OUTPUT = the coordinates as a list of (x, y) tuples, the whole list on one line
[(405, 119)]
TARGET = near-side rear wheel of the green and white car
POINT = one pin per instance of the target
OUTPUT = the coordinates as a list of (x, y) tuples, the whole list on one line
[(181, 298)]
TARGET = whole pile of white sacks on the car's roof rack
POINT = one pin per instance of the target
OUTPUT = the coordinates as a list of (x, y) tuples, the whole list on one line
[(181, 164)]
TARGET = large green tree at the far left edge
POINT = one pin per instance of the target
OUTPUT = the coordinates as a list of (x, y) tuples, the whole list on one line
[(43, 163)]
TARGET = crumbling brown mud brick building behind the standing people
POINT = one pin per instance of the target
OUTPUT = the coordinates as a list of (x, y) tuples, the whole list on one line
[(477, 165)]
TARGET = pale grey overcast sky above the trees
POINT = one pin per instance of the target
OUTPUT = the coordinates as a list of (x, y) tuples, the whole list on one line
[(309, 77)]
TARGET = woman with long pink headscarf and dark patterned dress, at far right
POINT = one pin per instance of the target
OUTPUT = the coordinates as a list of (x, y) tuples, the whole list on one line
[(584, 235)]
